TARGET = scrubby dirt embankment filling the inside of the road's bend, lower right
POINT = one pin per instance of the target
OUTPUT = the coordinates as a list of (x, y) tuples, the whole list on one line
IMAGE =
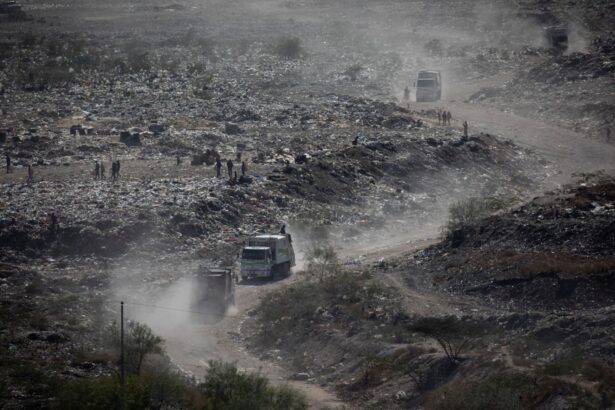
[(527, 293)]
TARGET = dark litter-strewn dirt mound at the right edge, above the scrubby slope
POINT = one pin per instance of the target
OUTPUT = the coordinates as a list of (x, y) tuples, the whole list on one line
[(554, 251)]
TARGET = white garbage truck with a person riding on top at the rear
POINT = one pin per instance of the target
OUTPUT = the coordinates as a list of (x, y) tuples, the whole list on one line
[(267, 256)]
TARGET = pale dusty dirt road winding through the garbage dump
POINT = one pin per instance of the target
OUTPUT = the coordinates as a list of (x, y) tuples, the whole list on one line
[(567, 150)]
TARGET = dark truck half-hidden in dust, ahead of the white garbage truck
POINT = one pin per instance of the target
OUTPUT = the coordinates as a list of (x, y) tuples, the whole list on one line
[(215, 290)]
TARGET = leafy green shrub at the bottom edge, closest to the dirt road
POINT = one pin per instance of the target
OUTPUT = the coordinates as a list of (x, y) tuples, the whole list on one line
[(227, 389)]
